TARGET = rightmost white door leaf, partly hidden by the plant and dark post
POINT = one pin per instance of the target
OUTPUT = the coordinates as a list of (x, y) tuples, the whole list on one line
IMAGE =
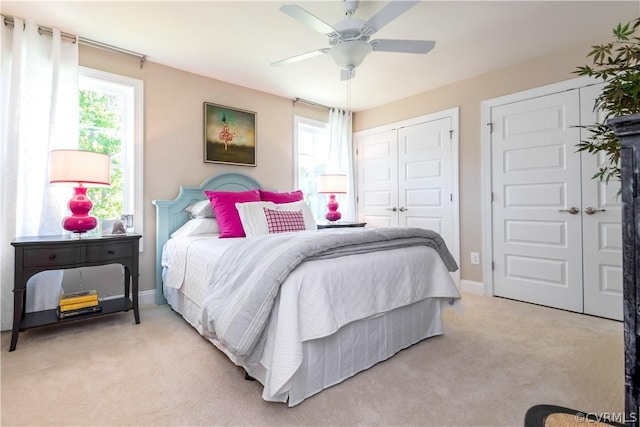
[(602, 228)]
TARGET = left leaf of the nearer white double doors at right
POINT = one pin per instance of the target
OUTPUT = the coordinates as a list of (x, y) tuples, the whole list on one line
[(537, 229)]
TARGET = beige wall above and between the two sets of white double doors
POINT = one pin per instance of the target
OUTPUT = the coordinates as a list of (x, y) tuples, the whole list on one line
[(468, 95)]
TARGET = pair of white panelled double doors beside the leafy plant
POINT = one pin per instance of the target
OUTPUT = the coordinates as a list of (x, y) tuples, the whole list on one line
[(556, 232)]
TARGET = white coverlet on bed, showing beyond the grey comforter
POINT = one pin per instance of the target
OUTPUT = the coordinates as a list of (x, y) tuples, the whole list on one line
[(318, 297)]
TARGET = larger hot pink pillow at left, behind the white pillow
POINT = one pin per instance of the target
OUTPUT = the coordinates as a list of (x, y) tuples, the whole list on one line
[(223, 204)]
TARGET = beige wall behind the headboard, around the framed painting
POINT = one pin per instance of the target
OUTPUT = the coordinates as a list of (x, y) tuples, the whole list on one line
[(173, 134)]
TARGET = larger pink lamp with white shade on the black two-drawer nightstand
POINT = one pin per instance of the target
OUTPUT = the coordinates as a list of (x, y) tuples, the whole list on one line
[(86, 169)]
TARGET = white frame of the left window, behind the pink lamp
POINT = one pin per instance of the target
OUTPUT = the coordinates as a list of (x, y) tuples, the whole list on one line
[(134, 133)]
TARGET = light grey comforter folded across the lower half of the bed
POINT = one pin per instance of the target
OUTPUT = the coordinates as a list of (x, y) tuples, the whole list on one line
[(249, 275)]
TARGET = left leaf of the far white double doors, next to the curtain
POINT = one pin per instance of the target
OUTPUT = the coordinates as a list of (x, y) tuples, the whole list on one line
[(378, 178)]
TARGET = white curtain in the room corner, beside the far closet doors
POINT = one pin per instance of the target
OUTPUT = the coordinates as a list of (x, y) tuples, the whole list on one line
[(341, 158)]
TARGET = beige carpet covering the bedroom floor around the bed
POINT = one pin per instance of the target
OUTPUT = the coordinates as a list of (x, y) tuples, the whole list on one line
[(497, 358)]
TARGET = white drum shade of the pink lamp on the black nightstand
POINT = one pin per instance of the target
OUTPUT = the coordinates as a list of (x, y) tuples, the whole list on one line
[(77, 166)]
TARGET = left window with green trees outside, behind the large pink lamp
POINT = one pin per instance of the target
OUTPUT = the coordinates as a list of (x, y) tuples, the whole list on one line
[(111, 122)]
